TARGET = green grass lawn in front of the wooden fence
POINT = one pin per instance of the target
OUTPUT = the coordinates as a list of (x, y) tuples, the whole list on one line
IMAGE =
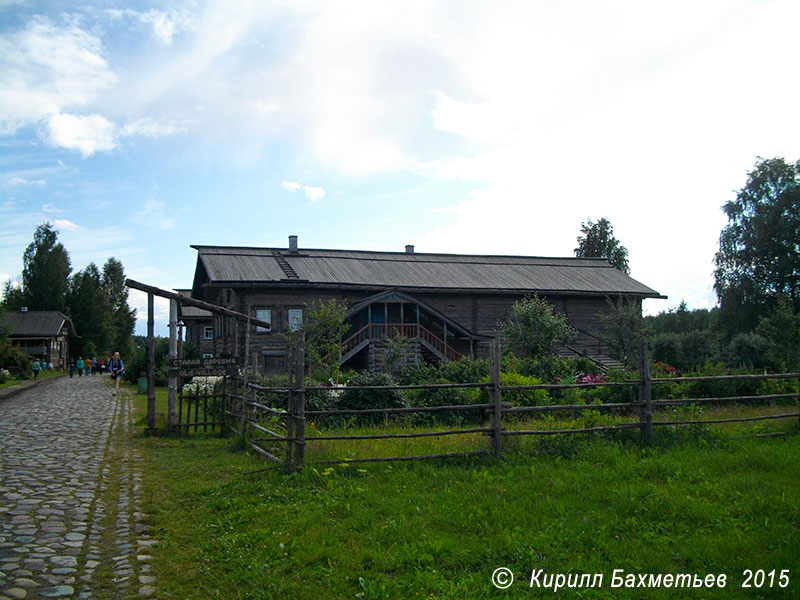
[(709, 504)]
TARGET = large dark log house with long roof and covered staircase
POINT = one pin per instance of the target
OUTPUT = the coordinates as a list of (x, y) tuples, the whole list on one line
[(444, 305)]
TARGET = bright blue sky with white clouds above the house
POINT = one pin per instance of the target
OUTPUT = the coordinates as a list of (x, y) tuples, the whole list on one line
[(139, 128)]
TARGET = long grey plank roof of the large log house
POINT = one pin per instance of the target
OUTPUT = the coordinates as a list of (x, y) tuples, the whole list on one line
[(230, 265)]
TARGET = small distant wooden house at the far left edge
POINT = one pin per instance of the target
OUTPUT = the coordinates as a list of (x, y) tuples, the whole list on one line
[(43, 335)]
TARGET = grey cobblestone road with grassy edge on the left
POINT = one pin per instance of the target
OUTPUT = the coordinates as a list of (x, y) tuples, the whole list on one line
[(70, 525)]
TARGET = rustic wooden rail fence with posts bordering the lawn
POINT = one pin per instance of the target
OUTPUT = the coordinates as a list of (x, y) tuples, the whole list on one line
[(266, 427)]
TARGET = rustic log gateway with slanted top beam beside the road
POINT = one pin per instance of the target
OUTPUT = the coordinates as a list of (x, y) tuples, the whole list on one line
[(175, 301)]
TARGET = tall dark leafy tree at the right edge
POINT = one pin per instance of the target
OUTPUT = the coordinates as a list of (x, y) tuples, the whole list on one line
[(759, 249)]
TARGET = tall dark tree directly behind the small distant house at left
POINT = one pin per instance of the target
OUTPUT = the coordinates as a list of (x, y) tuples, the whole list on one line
[(45, 271)]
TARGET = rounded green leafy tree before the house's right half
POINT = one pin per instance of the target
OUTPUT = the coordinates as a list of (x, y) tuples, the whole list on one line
[(532, 328)]
